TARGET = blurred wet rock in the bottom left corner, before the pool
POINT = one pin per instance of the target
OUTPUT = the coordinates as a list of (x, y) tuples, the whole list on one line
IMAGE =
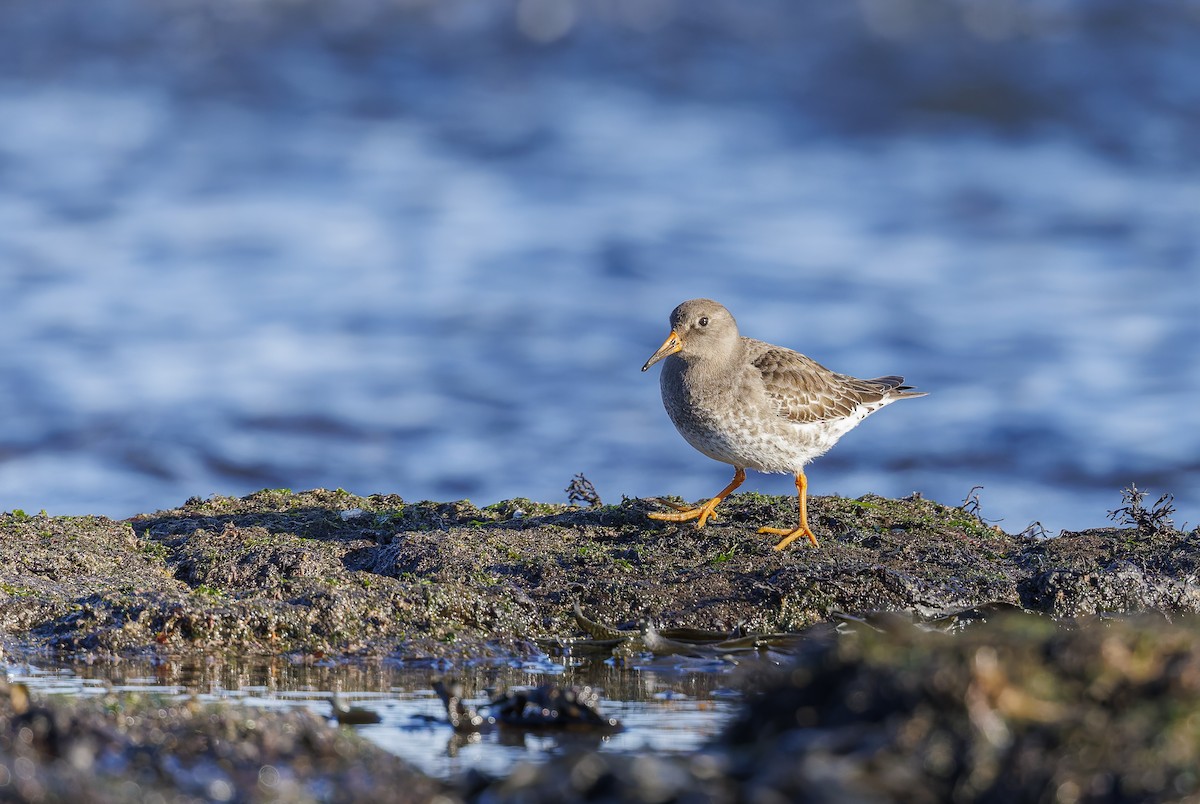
[(129, 748)]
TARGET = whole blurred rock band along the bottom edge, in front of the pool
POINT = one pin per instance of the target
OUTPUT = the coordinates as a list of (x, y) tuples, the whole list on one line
[(1016, 709)]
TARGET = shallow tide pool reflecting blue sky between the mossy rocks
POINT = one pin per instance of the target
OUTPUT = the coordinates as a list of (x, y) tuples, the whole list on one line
[(669, 709)]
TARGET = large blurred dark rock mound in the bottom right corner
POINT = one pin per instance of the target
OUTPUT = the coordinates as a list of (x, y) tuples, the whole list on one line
[(1018, 709)]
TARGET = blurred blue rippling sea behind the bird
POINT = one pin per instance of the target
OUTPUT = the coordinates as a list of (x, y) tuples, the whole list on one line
[(425, 249)]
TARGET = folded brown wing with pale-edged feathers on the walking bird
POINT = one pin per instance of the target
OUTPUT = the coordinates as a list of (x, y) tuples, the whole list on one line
[(807, 392)]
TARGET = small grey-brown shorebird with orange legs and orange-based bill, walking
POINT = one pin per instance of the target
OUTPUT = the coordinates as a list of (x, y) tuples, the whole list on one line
[(757, 406)]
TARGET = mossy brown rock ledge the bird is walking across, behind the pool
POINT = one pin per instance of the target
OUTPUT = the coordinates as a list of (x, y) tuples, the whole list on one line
[(329, 574)]
